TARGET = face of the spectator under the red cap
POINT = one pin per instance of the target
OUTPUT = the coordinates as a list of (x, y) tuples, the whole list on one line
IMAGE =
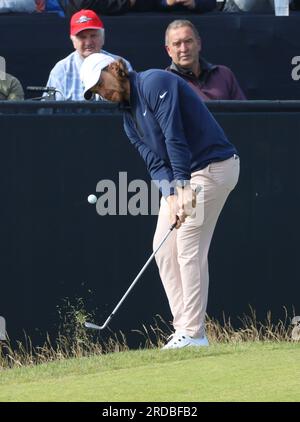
[(87, 42)]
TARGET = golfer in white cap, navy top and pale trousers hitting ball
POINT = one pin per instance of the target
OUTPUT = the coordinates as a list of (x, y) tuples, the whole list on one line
[(183, 147)]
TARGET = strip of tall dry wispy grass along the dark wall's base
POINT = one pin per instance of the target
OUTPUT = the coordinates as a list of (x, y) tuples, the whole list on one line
[(74, 341)]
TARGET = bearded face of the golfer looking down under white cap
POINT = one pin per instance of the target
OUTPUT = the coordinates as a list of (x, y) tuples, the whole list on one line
[(109, 87)]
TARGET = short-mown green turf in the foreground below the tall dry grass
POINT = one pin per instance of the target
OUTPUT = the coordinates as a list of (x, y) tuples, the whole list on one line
[(253, 371)]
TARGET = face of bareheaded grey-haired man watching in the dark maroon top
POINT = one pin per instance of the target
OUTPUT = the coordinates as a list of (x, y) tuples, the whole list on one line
[(183, 47)]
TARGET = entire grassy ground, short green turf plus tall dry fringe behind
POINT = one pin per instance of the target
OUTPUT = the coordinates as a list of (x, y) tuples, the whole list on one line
[(259, 361)]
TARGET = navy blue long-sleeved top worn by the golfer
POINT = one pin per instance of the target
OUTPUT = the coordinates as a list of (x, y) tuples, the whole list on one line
[(171, 127)]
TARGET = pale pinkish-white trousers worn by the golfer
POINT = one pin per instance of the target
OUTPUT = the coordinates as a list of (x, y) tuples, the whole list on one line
[(183, 259)]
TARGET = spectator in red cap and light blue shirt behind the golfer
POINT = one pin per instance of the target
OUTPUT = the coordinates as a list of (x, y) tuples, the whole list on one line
[(87, 36)]
